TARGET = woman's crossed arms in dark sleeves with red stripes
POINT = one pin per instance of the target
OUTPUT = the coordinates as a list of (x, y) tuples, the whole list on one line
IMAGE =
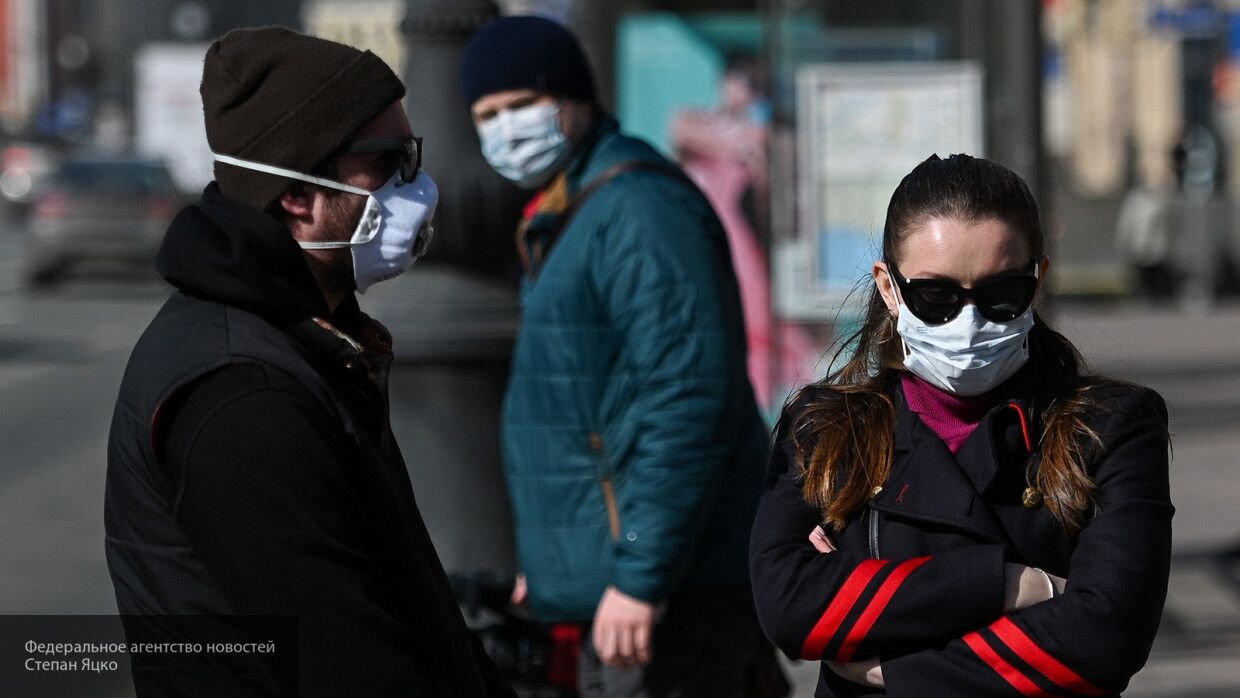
[(967, 622)]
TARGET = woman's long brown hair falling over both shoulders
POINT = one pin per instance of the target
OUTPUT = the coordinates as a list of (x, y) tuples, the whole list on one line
[(846, 437)]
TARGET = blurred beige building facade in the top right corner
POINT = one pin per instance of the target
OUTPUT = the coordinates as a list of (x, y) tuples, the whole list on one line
[(1128, 80)]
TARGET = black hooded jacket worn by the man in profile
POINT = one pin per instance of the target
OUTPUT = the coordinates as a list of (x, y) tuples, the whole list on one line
[(254, 480)]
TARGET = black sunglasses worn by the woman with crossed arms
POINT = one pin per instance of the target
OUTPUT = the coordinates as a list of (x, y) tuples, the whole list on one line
[(938, 302)]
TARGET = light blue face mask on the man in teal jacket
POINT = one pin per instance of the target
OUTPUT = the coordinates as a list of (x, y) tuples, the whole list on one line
[(525, 146)]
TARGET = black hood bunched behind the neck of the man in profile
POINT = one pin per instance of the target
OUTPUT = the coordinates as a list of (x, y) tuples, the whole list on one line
[(234, 254)]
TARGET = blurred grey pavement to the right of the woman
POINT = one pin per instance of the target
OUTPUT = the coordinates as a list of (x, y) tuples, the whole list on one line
[(1195, 361)]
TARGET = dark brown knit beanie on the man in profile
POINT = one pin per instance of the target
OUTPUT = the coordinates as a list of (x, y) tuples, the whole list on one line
[(290, 100)]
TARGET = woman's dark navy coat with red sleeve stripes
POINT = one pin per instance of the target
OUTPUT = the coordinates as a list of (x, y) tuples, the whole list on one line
[(918, 580)]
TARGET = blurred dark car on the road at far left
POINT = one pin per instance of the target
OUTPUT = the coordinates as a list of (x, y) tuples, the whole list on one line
[(100, 209)]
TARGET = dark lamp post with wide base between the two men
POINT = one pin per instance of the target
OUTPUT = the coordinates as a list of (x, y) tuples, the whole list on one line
[(453, 319)]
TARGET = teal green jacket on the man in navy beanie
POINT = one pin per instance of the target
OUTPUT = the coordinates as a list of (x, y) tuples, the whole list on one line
[(634, 449)]
